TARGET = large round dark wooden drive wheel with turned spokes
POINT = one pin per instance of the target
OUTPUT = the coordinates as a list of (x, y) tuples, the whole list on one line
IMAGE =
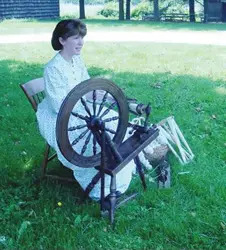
[(84, 109)]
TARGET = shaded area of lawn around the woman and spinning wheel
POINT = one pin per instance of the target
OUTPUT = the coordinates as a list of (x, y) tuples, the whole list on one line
[(191, 100)]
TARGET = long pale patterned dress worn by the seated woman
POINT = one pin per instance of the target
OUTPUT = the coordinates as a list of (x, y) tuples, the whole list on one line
[(60, 77)]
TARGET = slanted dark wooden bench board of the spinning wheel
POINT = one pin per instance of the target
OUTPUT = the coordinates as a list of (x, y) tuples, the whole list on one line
[(130, 149)]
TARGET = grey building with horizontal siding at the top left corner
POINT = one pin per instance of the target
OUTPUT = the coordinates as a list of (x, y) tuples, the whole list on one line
[(41, 9)]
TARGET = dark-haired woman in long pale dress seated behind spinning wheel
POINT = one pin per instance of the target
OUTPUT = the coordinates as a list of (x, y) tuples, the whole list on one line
[(63, 72)]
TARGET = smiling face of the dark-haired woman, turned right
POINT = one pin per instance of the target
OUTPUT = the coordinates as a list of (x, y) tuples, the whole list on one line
[(72, 45)]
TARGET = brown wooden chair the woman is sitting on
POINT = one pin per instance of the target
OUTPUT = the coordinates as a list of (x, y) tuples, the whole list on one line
[(34, 91)]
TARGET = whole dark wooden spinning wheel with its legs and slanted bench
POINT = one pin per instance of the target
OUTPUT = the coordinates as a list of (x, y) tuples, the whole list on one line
[(90, 128)]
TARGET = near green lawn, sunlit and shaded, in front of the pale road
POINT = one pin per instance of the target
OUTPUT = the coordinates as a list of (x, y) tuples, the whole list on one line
[(190, 215)]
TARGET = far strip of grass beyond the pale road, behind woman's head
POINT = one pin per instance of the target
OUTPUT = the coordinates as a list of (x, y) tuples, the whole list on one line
[(24, 26)]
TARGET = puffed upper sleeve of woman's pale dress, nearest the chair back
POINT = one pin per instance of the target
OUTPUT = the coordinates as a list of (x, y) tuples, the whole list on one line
[(55, 88)]
